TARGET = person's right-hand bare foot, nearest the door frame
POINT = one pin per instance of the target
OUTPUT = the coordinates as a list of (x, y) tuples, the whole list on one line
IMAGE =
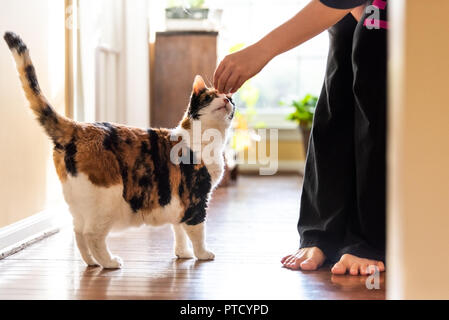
[(355, 265)]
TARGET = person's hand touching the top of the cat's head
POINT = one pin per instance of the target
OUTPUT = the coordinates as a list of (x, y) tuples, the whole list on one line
[(238, 67)]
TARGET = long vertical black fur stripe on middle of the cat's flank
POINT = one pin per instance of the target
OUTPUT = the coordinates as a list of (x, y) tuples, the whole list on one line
[(161, 172)]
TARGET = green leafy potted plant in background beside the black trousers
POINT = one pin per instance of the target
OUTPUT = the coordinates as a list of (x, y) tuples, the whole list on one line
[(304, 110)]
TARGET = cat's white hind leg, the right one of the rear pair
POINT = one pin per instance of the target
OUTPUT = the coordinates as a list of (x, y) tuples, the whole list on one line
[(95, 235)]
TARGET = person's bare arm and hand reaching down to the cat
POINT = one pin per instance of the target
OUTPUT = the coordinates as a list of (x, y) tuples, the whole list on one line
[(238, 67)]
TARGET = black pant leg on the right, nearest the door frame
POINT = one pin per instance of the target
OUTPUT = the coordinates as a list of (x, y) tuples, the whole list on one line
[(366, 228)]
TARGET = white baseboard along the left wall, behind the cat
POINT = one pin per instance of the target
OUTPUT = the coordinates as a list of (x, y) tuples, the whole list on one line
[(23, 233)]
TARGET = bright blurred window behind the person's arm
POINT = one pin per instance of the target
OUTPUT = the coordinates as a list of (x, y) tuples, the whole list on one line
[(290, 75)]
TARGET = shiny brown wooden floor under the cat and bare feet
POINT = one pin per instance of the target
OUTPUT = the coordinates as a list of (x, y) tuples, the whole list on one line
[(250, 227)]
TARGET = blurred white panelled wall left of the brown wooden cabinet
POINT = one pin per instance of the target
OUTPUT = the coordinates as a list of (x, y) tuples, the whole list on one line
[(112, 68)]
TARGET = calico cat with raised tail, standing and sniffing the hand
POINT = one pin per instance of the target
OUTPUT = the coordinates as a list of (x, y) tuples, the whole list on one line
[(114, 176)]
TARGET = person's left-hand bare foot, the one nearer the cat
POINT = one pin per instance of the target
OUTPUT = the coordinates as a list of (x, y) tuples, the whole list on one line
[(306, 259)]
